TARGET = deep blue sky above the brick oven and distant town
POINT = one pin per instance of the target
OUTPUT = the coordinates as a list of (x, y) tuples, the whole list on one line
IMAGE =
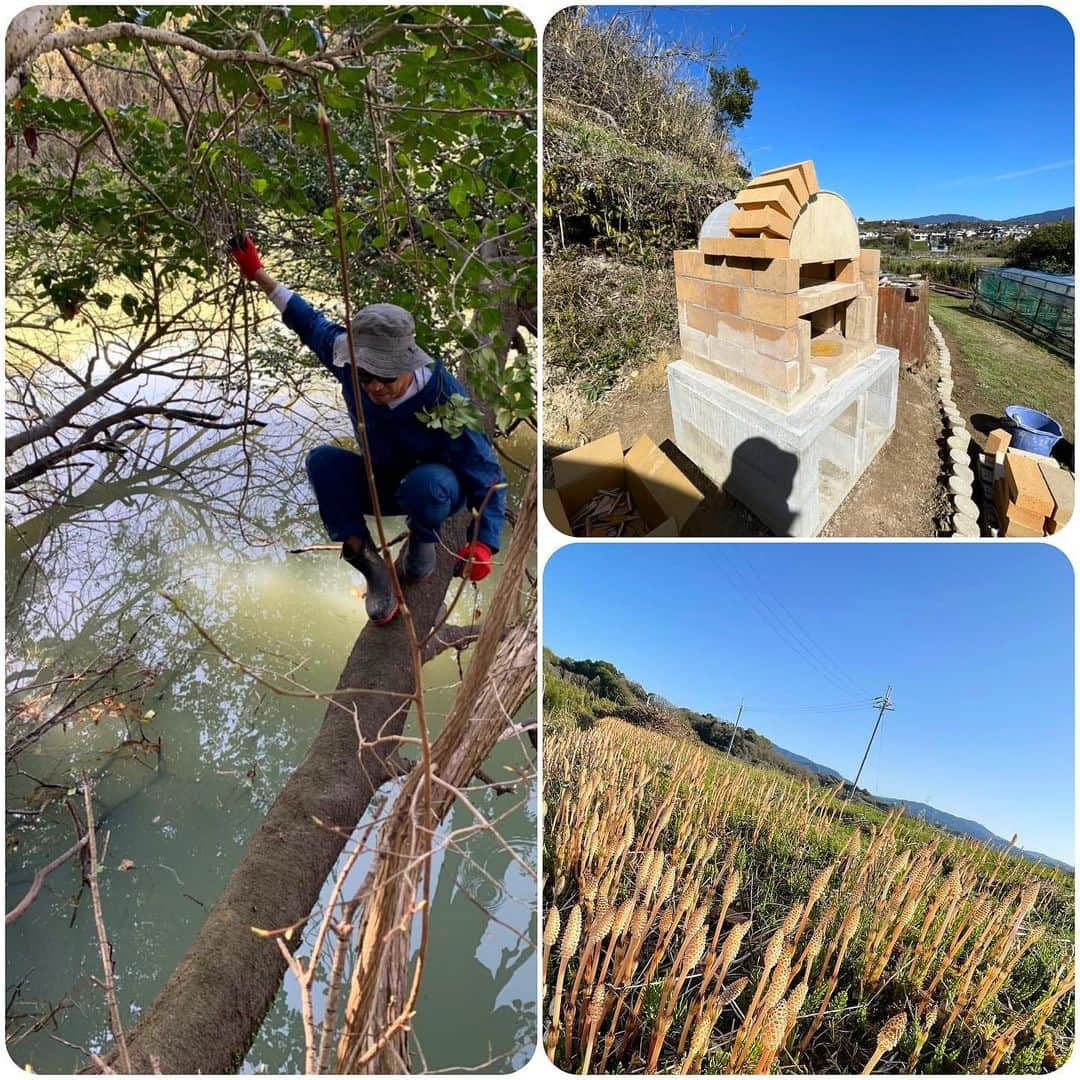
[(906, 111)]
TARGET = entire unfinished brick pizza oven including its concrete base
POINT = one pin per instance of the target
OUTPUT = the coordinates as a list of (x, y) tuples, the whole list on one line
[(782, 396)]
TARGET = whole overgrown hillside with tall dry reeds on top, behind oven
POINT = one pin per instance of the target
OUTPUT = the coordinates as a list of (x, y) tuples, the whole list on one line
[(633, 164)]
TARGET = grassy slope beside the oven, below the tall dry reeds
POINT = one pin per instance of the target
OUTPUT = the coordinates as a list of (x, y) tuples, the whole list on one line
[(620, 209)]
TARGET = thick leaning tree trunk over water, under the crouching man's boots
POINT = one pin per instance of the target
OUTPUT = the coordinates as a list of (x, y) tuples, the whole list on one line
[(208, 1014)]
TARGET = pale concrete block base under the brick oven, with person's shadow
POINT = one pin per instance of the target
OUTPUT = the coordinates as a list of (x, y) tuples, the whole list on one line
[(791, 469)]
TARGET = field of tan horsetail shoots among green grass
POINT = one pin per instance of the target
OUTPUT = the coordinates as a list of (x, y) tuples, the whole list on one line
[(704, 915)]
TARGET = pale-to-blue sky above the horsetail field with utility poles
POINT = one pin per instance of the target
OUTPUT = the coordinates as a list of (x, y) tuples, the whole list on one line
[(976, 641)]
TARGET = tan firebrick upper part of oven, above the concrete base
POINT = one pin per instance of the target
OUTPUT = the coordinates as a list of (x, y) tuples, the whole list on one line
[(750, 310)]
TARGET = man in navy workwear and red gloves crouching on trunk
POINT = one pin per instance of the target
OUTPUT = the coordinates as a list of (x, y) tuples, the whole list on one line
[(421, 471)]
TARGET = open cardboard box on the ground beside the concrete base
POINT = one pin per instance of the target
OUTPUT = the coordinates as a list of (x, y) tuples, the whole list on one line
[(663, 495)]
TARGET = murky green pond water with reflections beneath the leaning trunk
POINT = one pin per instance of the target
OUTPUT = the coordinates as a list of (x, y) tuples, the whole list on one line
[(187, 753)]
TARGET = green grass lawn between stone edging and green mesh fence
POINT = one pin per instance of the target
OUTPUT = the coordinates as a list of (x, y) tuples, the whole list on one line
[(994, 367)]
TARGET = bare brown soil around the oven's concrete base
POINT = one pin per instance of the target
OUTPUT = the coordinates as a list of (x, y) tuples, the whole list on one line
[(901, 495)]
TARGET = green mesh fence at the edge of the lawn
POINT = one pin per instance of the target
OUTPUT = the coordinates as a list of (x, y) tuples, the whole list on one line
[(1038, 305)]
